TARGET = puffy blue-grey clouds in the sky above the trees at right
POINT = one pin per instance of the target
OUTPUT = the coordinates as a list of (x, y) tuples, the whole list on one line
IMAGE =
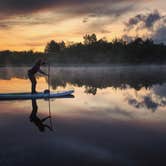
[(154, 23)]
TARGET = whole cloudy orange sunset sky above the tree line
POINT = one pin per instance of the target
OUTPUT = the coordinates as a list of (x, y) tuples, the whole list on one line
[(31, 24)]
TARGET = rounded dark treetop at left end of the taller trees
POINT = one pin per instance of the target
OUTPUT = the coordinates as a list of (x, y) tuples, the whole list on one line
[(52, 47)]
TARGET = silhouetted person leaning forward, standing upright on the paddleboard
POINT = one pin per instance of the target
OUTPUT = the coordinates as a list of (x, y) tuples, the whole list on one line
[(33, 71)]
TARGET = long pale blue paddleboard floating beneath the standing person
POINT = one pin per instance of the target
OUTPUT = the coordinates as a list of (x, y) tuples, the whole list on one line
[(40, 95)]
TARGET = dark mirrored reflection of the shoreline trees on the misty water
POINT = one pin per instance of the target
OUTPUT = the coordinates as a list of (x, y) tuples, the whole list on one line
[(98, 77)]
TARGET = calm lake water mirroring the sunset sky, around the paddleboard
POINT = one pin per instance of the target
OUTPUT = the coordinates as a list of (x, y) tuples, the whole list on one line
[(118, 117)]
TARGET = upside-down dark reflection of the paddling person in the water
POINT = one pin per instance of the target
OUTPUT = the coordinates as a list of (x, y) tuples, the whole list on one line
[(36, 120)]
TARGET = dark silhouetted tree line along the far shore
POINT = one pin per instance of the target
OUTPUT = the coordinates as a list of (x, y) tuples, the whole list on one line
[(92, 51)]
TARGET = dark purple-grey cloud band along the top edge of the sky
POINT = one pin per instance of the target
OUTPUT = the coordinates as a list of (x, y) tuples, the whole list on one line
[(91, 7)]
